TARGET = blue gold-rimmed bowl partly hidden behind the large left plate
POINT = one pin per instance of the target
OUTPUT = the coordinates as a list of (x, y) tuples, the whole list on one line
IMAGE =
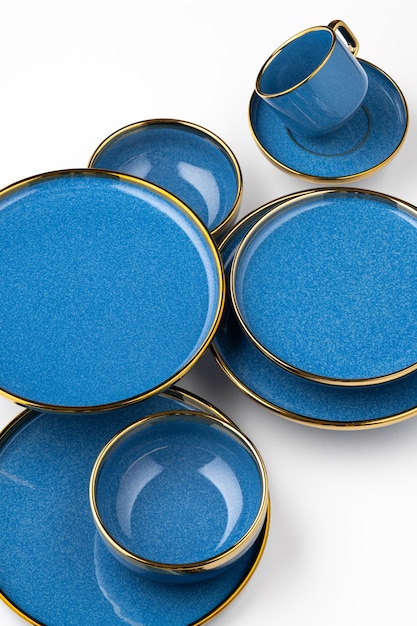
[(183, 158)]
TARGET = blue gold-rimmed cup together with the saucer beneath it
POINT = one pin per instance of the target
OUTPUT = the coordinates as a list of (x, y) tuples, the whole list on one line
[(316, 66)]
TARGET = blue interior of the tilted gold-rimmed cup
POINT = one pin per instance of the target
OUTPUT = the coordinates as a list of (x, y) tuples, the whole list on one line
[(296, 61)]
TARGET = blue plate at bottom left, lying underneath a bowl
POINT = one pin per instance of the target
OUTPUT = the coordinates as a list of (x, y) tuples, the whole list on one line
[(55, 569)]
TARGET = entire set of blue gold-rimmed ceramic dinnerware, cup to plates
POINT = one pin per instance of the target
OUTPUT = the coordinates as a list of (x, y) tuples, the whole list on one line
[(125, 499)]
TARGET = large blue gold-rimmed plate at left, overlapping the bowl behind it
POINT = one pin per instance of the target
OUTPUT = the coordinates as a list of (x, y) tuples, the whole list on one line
[(110, 289)]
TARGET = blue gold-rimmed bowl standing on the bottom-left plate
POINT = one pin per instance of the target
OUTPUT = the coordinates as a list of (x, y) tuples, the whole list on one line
[(179, 496)]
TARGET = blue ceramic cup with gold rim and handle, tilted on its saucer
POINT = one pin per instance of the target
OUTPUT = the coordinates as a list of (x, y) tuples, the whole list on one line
[(314, 80)]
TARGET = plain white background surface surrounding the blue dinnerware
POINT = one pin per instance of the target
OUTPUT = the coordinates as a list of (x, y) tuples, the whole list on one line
[(342, 548)]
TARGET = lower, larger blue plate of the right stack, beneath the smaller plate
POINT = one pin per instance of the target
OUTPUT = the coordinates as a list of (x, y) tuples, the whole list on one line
[(292, 396)]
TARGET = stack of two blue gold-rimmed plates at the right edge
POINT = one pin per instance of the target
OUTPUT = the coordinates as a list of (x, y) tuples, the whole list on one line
[(319, 323)]
